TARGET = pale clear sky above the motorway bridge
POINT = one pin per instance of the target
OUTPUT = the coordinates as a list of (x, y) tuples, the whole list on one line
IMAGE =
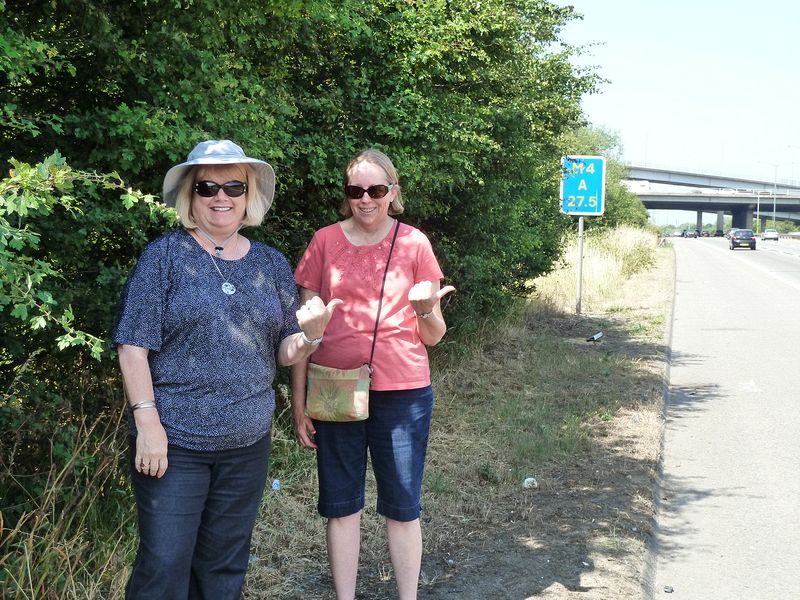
[(708, 86)]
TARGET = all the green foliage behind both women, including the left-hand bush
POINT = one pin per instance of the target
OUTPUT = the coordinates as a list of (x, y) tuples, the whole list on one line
[(471, 99)]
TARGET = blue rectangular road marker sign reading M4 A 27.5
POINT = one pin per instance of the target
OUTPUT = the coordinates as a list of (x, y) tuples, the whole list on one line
[(583, 185)]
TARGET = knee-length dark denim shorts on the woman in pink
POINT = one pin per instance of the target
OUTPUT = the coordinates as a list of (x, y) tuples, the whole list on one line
[(396, 436)]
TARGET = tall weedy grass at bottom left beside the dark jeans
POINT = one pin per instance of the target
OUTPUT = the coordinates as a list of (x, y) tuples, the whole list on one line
[(71, 539)]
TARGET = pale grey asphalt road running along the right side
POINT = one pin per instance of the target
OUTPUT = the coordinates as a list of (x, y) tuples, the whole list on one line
[(728, 525)]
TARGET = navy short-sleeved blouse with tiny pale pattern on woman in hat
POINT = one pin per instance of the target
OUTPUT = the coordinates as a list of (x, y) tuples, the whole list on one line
[(212, 355)]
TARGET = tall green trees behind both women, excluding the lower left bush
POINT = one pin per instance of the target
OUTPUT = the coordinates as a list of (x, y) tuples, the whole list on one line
[(468, 98)]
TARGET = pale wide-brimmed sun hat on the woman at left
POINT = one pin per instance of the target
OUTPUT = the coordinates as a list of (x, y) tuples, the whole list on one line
[(220, 152)]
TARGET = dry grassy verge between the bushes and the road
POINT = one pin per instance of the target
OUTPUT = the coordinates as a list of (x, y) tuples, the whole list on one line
[(532, 399)]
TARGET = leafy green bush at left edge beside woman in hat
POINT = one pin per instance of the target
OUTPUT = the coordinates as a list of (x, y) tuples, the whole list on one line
[(67, 241)]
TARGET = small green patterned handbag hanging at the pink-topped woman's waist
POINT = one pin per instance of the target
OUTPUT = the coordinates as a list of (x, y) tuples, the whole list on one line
[(337, 394)]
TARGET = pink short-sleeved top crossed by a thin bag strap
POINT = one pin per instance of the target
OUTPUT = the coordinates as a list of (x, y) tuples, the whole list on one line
[(335, 268)]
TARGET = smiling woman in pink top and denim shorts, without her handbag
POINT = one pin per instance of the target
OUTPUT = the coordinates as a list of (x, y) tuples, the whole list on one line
[(346, 262)]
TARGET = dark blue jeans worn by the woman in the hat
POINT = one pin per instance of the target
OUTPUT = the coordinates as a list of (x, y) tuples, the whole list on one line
[(195, 523)]
